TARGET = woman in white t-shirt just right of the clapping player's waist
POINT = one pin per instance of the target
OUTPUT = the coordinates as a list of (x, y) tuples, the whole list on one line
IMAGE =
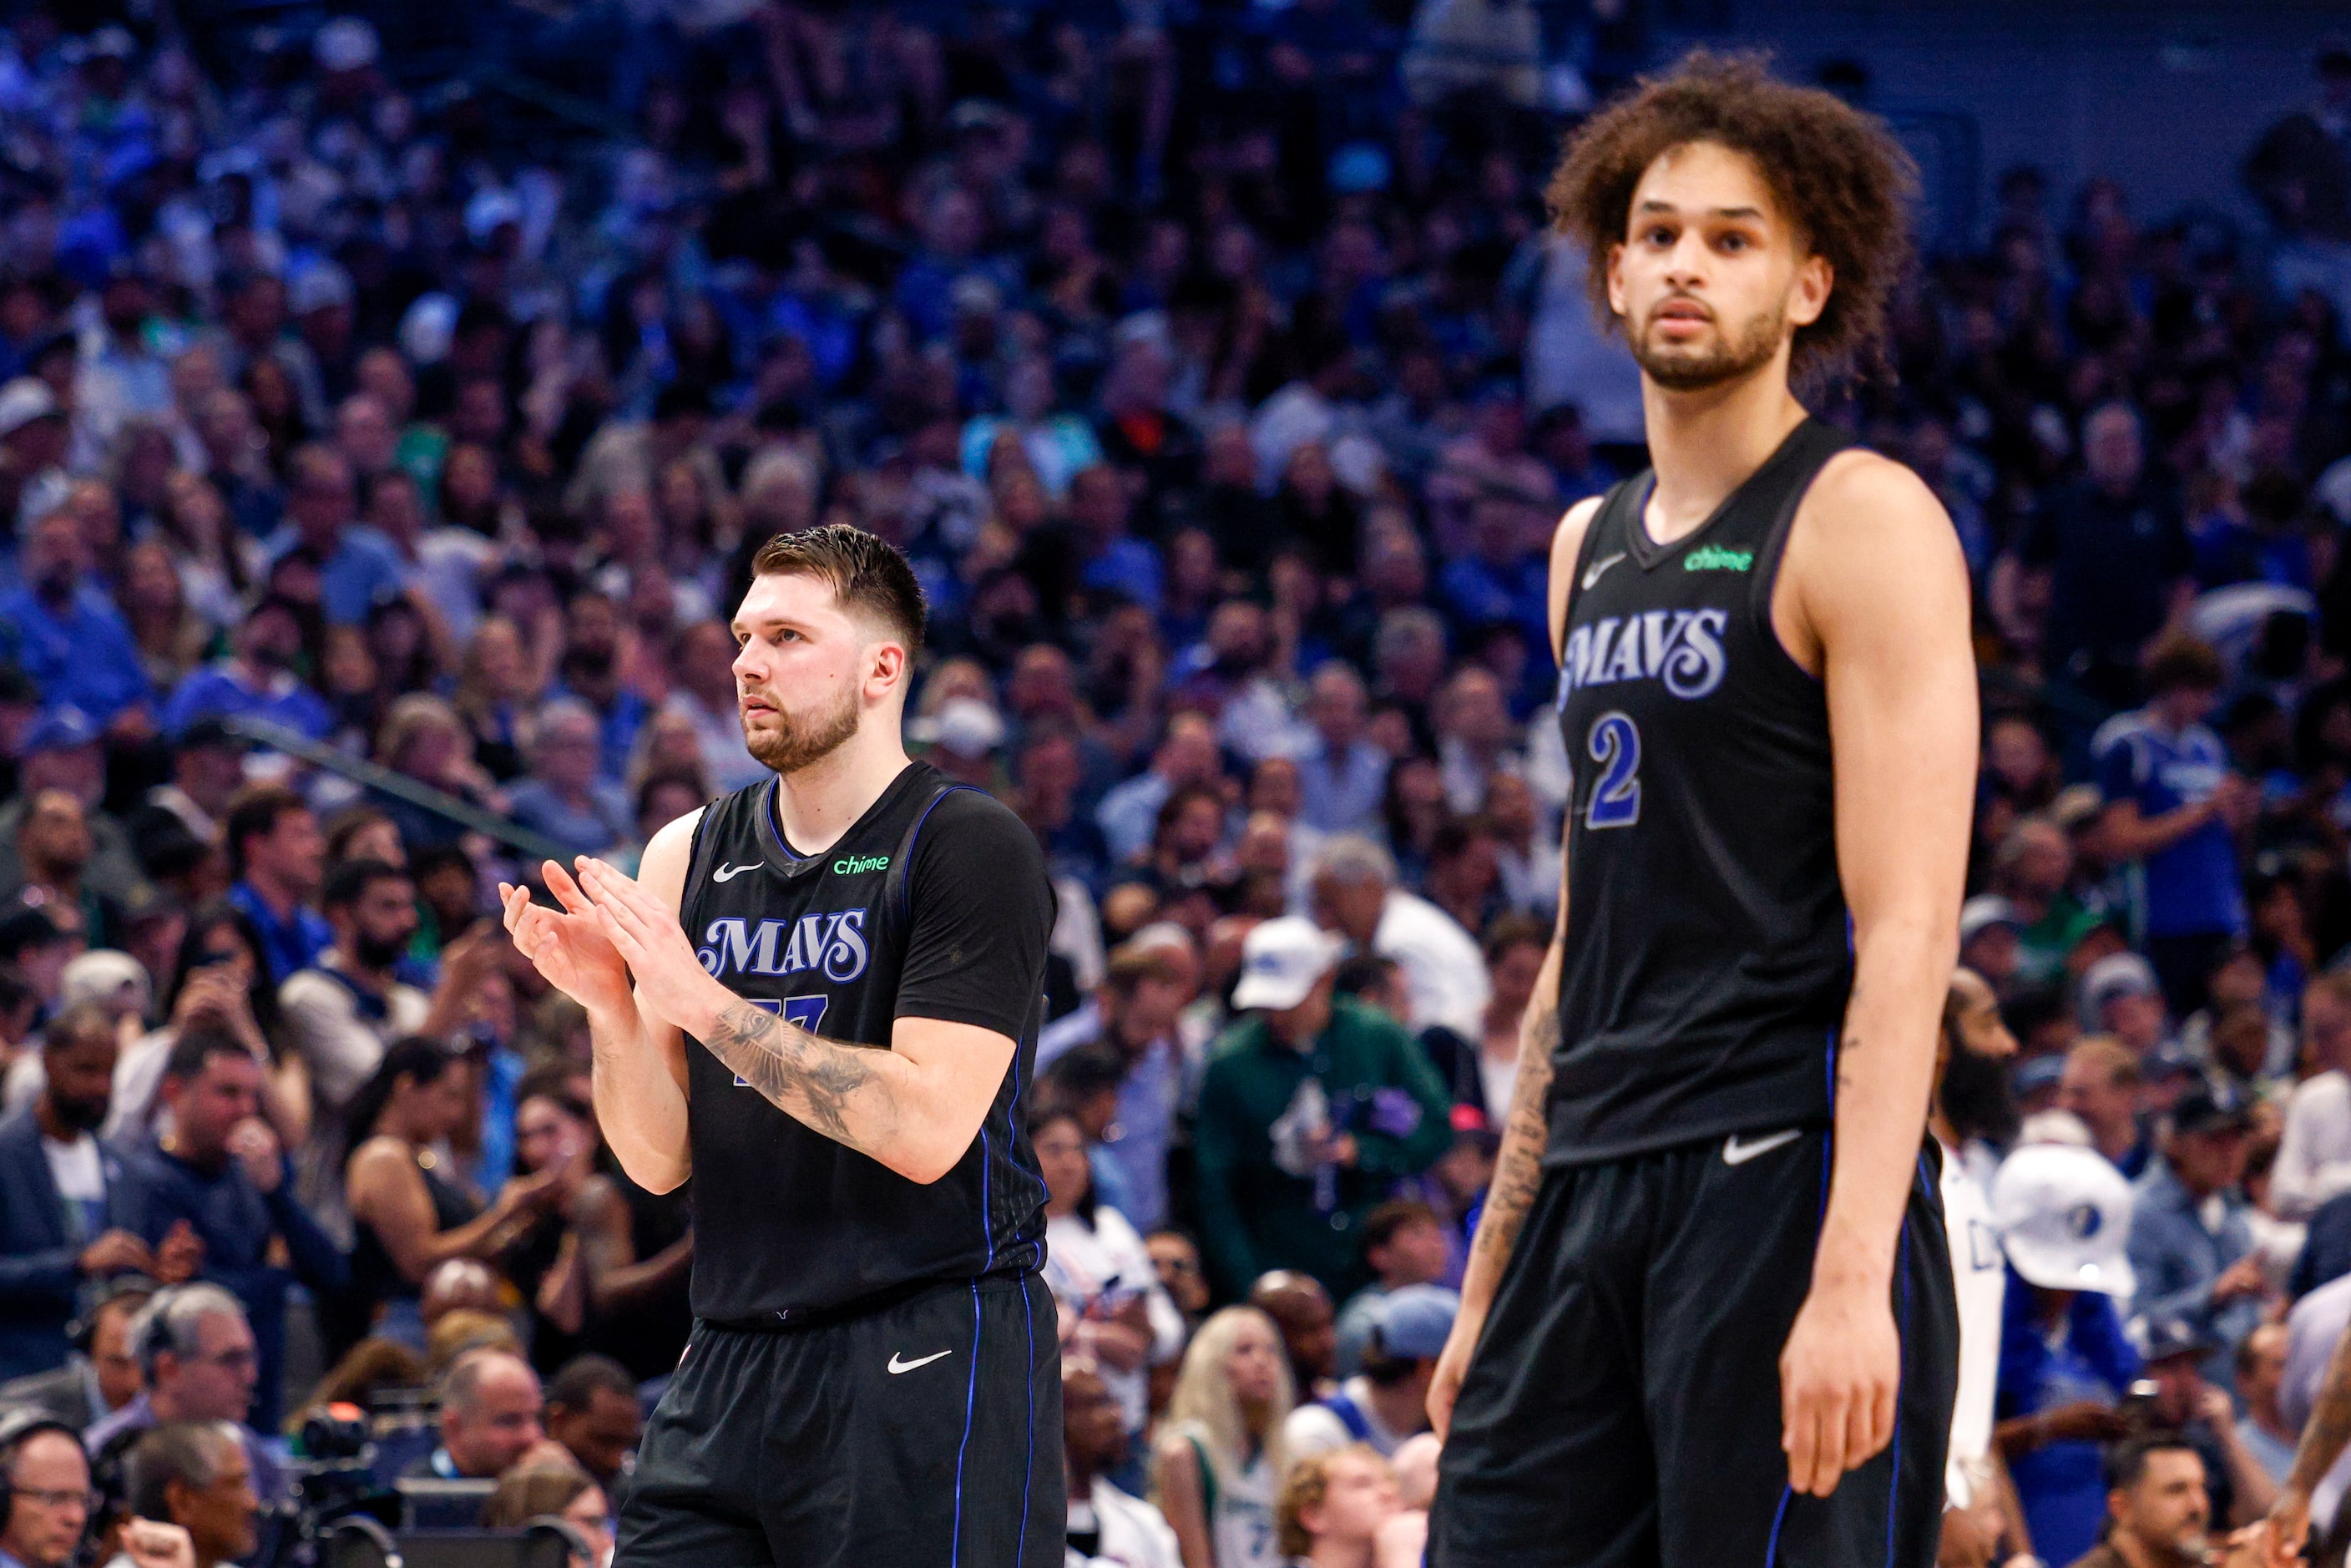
[(1099, 1271)]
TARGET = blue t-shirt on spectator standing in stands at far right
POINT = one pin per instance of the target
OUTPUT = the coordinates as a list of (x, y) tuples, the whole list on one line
[(2192, 887)]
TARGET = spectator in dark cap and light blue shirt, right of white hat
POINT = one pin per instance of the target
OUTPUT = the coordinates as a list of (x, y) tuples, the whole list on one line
[(2190, 1240)]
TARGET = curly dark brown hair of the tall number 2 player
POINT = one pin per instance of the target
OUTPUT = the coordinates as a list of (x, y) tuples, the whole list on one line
[(1833, 168)]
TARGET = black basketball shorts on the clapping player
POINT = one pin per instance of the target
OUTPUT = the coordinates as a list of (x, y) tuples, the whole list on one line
[(923, 1435)]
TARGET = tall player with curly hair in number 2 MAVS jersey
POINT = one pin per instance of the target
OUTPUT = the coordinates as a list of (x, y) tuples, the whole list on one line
[(1708, 1318)]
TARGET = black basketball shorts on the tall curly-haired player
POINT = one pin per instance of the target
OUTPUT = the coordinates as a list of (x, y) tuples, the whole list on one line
[(1623, 1407)]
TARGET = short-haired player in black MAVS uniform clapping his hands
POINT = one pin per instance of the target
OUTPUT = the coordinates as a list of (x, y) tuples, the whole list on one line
[(838, 984)]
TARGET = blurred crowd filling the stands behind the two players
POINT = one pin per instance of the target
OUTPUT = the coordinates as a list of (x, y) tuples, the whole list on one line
[(377, 474)]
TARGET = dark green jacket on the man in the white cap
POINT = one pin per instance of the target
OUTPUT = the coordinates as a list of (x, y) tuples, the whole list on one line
[(1257, 1217)]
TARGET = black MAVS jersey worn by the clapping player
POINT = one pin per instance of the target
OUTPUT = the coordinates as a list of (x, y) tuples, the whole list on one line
[(932, 906)]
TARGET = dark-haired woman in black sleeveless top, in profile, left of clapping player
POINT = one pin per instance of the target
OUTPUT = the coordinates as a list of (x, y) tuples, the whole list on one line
[(406, 1214)]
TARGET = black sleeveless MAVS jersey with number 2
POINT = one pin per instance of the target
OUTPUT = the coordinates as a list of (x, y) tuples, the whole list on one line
[(1708, 953)]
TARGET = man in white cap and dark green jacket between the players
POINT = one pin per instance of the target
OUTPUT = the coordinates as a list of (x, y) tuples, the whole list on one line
[(1308, 1111)]
